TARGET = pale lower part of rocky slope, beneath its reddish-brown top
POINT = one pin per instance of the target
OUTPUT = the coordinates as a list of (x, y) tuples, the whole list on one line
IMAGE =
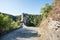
[(50, 29)]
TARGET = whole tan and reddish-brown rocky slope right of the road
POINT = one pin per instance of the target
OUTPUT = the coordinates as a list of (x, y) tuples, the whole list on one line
[(50, 26)]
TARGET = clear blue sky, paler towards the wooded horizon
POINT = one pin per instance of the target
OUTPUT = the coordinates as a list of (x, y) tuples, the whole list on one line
[(17, 7)]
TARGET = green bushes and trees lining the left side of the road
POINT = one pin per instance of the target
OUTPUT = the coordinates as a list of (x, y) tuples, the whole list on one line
[(8, 22)]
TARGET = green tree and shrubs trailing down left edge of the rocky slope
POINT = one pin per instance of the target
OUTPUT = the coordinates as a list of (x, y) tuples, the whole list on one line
[(45, 12)]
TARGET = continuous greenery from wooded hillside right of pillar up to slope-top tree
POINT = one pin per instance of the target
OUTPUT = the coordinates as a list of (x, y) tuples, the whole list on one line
[(36, 19)]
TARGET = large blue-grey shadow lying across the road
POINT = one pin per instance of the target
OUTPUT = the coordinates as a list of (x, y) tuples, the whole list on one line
[(19, 33)]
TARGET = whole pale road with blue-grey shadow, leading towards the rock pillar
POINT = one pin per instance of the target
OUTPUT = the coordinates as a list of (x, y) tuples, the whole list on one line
[(25, 33)]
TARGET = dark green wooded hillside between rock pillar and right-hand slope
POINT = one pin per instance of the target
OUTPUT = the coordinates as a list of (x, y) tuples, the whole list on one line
[(34, 20)]
